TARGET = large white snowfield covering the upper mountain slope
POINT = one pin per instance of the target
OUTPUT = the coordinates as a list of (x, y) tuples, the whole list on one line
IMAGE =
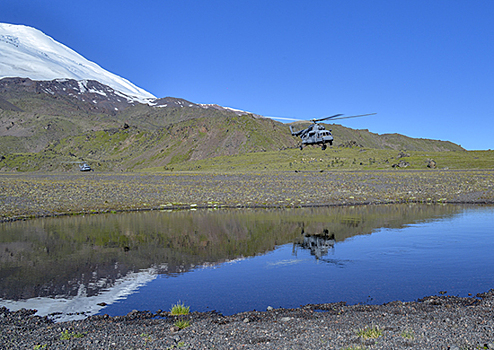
[(29, 53)]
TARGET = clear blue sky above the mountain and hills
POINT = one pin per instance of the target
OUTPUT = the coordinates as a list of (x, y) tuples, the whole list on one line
[(426, 67)]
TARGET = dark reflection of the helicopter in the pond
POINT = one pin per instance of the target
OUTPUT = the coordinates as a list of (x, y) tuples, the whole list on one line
[(319, 245)]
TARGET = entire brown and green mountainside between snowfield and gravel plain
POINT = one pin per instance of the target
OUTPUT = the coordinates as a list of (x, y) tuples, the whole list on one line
[(41, 130)]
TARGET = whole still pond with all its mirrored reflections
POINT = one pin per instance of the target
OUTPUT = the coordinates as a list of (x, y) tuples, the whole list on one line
[(238, 260)]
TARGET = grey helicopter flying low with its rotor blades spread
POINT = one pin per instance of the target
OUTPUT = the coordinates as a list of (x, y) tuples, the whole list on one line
[(317, 134)]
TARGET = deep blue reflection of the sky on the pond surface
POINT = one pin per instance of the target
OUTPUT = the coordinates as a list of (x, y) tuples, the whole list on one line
[(453, 255)]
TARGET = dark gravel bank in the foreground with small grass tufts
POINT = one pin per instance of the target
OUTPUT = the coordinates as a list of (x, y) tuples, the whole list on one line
[(436, 322)]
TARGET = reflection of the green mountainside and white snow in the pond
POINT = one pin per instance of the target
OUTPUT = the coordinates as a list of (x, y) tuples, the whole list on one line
[(100, 259)]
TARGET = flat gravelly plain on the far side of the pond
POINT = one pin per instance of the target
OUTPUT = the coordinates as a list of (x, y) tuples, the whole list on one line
[(39, 195)]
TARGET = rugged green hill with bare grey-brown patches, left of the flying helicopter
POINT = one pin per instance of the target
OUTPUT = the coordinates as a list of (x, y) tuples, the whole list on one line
[(133, 148)]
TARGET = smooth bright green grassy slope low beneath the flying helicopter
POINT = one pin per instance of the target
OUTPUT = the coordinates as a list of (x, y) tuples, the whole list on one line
[(335, 158)]
